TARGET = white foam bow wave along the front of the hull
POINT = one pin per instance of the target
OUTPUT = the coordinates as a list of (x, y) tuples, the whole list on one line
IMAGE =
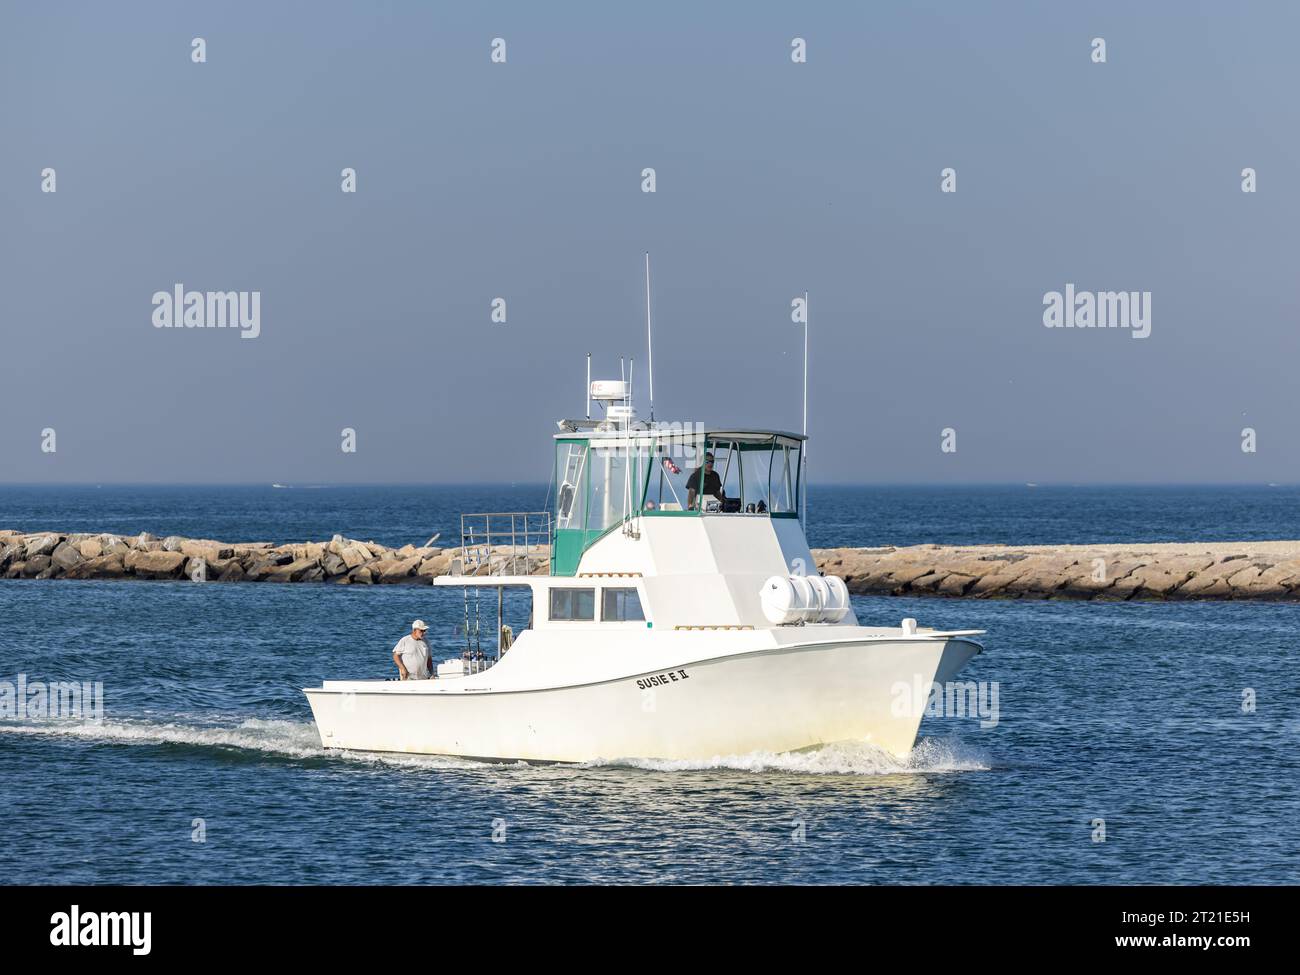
[(840, 759)]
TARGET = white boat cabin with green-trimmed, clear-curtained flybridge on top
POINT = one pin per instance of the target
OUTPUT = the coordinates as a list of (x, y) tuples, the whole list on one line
[(652, 527)]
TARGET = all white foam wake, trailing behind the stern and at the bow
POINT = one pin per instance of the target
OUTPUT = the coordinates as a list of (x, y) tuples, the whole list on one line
[(300, 740)]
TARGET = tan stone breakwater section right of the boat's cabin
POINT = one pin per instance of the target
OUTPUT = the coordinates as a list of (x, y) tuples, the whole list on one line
[(1138, 571)]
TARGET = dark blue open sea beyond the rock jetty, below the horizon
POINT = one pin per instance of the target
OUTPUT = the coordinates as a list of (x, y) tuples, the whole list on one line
[(839, 515)]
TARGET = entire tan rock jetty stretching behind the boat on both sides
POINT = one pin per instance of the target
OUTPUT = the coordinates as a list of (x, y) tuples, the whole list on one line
[(1267, 570)]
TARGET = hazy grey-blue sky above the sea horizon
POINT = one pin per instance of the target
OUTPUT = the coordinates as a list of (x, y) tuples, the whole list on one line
[(523, 181)]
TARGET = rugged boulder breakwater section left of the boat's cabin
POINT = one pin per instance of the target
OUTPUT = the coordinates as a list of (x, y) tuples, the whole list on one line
[(341, 561)]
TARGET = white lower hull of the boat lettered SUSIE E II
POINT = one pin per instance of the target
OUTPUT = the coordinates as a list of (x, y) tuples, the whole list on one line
[(770, 700)]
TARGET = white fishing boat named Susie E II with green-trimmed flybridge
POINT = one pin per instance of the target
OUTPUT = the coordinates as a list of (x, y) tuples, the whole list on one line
[(677, 613)]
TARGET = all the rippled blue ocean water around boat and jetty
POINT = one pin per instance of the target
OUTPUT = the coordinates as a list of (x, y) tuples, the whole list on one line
[(1130, 714)]
